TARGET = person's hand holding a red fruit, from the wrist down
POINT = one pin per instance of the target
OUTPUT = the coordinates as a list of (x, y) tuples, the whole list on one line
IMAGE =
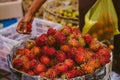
[(24, 26)]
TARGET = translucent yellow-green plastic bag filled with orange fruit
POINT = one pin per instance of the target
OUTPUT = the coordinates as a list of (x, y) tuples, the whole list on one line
[(101, 20)]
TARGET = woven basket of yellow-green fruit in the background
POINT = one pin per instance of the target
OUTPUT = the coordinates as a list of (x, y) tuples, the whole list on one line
[(64, 12)]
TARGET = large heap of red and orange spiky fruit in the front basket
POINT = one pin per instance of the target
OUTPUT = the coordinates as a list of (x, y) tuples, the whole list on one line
[(62, 54)]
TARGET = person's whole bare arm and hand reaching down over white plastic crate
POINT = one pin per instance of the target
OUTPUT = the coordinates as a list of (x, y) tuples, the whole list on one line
[(28, 18)]
